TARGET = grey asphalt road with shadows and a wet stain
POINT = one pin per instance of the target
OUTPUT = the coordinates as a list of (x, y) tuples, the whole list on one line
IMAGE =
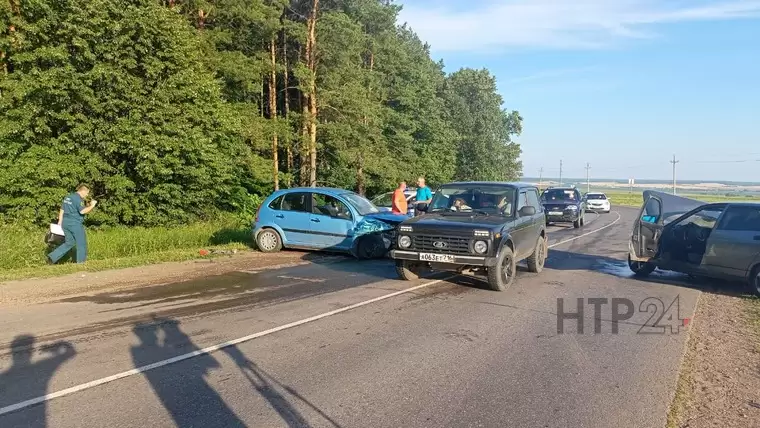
[(324, 345)]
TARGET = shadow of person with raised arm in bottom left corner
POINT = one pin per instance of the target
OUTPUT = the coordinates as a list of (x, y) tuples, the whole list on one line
[(28, 378)]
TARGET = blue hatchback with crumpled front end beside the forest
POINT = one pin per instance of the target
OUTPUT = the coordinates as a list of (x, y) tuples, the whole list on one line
[(323, 218)]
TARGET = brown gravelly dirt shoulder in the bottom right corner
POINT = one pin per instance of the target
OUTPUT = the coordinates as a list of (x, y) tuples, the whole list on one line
[(721, 374)]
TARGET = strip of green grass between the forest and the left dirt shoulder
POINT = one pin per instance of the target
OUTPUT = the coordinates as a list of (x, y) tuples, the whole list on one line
[(24, 250)]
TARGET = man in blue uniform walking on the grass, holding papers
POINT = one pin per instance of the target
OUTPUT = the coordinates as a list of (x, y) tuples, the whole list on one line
[(71, 219)]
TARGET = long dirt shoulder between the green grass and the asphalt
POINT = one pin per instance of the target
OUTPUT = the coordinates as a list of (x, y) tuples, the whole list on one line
[(41, 290)]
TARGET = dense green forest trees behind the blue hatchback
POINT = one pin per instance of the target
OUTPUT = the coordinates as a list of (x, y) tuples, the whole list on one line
[(174, 110)]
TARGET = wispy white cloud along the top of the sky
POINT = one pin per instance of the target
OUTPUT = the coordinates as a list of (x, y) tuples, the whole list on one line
[(490, 25)]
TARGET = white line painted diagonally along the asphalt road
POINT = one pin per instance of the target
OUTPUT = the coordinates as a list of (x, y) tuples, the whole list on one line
[(214, 348)]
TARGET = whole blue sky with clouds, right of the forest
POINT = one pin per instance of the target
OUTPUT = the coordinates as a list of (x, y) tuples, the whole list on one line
[(623, 85)]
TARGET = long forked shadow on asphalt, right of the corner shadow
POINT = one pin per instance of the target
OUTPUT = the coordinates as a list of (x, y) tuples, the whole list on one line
[(183, 388)]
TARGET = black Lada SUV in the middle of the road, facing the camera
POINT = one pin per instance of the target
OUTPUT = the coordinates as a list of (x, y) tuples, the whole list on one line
[(482, 228)]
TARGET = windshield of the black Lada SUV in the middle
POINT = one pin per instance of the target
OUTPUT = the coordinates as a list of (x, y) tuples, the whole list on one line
[(485, 199)]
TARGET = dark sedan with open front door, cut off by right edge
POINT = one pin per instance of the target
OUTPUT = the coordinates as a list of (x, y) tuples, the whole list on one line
[(719, 240)]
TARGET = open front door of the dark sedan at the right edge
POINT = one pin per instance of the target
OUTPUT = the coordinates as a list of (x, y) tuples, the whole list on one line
[(657, 211)]
